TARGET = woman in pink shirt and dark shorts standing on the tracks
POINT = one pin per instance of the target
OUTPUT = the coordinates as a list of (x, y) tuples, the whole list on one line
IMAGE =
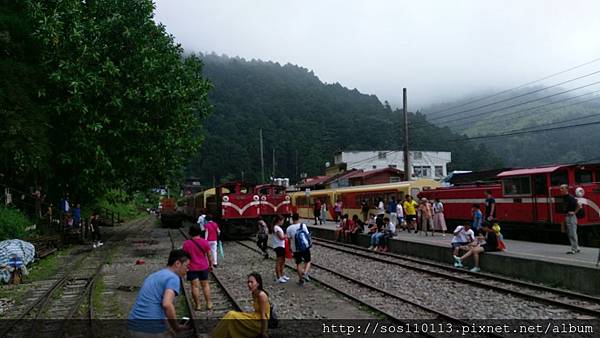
[(199, 268)]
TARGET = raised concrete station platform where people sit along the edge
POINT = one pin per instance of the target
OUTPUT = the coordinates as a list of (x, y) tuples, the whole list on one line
[(535, 262)]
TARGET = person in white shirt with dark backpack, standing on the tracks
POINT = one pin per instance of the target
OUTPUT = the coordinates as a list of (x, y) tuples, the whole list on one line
[(300, 242)]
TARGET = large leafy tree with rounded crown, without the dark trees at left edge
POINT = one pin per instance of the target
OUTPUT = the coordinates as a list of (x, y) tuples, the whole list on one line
[(124, 106)]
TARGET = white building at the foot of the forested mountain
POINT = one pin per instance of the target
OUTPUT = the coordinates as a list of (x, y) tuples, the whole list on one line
[(430, 164)]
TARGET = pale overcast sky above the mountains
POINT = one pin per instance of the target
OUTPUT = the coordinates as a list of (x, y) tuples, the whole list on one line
[(440, 50)]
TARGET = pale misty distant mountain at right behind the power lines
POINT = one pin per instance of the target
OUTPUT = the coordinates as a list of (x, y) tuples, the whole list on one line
[(538, 122)]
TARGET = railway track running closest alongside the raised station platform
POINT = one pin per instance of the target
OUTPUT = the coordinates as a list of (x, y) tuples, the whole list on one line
[(581, 303)]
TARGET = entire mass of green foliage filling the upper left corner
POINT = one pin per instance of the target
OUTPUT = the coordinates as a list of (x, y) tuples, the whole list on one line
[(95, 95)]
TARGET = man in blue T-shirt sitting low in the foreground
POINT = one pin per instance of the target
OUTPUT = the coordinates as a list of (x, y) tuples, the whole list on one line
[(154, 306)]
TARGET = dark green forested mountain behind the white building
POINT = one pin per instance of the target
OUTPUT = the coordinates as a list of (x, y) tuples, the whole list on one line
[(304, 122)]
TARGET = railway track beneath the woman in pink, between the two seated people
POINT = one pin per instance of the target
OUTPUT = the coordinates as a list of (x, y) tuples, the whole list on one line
[(221, 296)]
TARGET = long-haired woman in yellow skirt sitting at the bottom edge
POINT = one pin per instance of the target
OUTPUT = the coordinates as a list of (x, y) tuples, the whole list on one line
[(237, 324)]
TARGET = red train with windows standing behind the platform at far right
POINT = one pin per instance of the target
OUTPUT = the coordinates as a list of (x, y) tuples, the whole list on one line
[(529, 204)]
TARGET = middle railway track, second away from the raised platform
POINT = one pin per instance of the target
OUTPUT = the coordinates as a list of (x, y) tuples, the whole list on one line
[(390, 305)]
